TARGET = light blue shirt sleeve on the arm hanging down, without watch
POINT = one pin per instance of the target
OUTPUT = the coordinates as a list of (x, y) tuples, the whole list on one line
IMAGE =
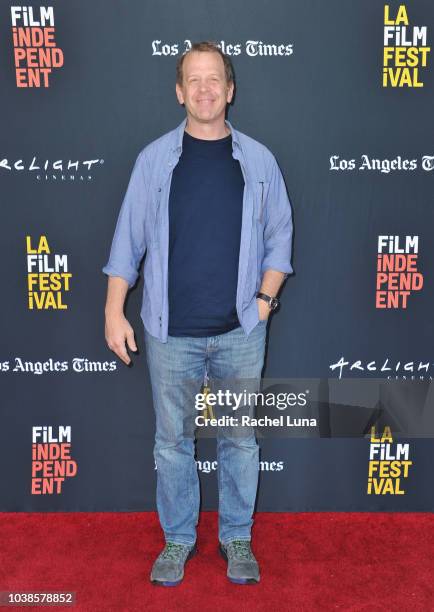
[(128, 245)]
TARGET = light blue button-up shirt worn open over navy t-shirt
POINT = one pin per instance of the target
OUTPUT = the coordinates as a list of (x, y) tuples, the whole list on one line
[(143, 225)]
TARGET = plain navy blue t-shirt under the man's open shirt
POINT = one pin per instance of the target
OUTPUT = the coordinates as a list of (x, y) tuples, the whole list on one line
[(205, 211)]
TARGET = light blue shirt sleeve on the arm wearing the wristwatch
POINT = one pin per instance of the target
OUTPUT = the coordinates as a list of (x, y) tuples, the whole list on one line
[(278, 225)]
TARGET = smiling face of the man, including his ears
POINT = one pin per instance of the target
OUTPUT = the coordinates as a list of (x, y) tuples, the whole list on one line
[(204, 90)]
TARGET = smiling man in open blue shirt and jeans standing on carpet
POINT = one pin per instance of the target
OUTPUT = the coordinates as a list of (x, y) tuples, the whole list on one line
[(209, 206)]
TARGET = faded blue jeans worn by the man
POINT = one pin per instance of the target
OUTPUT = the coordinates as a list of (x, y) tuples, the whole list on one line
[(177, 371)]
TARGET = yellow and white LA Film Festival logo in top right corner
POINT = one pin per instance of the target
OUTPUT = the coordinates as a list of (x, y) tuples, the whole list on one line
[(405, 50)]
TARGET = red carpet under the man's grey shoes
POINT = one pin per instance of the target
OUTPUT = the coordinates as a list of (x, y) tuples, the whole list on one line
[(309, 561)]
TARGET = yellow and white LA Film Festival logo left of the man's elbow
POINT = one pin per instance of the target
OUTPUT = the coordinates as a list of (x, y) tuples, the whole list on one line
[(47, 277)]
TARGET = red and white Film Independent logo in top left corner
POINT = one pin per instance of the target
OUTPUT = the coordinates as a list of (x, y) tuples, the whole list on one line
[(35, 50)]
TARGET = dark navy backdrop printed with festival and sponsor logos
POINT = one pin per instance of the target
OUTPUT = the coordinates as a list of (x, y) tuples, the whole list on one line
[(342, 94)]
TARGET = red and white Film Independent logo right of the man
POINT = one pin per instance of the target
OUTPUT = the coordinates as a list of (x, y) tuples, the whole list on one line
[(397, 273)]
